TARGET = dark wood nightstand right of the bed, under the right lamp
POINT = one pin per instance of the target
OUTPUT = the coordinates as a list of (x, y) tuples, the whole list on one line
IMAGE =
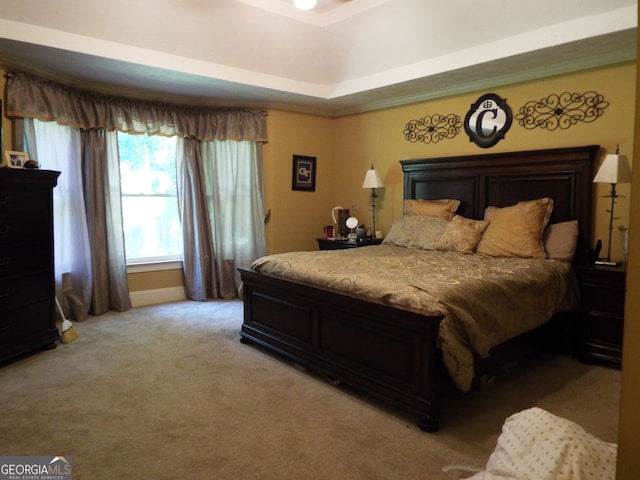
[(601, 321)]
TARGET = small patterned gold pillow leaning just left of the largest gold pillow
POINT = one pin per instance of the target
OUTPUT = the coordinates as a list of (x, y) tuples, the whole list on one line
[(417, 231)]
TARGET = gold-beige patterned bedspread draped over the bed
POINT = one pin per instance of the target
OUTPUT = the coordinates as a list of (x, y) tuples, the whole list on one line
[(485, 301)]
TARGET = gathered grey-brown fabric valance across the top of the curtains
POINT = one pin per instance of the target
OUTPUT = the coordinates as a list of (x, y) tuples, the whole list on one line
[(28, 96)]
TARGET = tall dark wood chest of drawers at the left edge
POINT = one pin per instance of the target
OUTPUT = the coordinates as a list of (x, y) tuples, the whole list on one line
[(27, 289)]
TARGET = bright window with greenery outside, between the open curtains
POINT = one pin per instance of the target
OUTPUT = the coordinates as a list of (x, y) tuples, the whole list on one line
[(149, 198)]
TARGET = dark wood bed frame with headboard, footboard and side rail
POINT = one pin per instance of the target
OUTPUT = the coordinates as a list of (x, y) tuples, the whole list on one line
[(391, 353)]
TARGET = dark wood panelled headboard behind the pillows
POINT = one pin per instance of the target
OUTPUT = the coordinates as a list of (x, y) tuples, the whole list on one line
[(502, 179)]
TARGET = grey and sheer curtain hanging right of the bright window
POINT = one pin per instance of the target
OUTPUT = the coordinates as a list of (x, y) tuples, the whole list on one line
[(221, 204)]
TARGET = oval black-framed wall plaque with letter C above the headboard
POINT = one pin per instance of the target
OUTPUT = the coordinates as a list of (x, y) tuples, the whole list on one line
[(488, 120)]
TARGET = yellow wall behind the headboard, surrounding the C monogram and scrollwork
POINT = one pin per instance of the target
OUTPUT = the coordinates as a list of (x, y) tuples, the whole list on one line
[(378, 137)]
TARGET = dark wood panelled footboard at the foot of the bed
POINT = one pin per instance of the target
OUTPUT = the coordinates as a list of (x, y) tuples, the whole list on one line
[(386, 352)]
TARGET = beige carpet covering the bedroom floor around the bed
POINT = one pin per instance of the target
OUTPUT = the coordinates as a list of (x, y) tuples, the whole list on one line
[(167, 392)]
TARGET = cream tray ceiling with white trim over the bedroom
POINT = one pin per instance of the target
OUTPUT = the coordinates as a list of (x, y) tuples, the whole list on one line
[(342, 58)]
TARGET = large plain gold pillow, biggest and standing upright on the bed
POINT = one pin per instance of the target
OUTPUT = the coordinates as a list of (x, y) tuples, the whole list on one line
[(516, 231)]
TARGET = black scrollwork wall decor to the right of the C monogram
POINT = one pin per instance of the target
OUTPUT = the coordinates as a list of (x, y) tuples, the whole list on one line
[(562, 110)]
